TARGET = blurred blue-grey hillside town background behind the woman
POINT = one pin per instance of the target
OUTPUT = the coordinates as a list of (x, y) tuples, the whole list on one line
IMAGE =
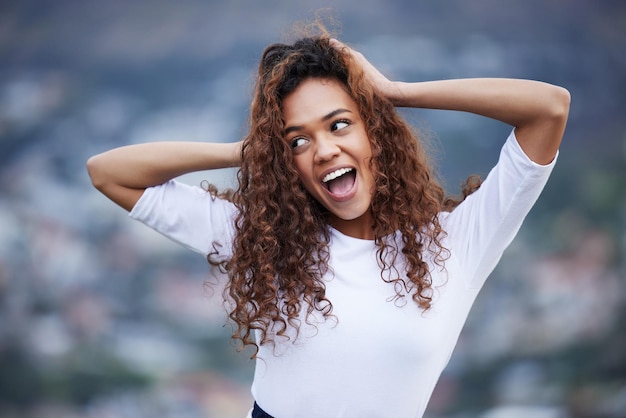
[(101, 317)]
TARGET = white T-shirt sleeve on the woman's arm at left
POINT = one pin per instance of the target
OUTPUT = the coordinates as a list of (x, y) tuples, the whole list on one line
[(189, 216)]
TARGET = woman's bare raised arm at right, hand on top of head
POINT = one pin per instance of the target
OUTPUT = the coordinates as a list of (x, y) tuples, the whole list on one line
[(537, 110)]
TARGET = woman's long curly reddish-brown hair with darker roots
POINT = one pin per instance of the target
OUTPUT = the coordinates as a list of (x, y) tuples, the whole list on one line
[(281, 247)]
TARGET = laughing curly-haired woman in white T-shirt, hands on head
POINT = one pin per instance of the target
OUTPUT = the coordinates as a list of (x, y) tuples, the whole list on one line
[(348, 269)]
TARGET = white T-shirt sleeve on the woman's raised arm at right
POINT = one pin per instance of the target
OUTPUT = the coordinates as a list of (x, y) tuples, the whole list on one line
[(484, 224)]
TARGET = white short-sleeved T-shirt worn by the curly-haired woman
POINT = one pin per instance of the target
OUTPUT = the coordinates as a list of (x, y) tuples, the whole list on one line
[(375, 357)]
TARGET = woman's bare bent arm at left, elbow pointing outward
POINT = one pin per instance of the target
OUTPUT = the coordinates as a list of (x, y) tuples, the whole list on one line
[(122, 174)]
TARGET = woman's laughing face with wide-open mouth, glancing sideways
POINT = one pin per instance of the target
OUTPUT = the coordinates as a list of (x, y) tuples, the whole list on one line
[(332, 152)]
